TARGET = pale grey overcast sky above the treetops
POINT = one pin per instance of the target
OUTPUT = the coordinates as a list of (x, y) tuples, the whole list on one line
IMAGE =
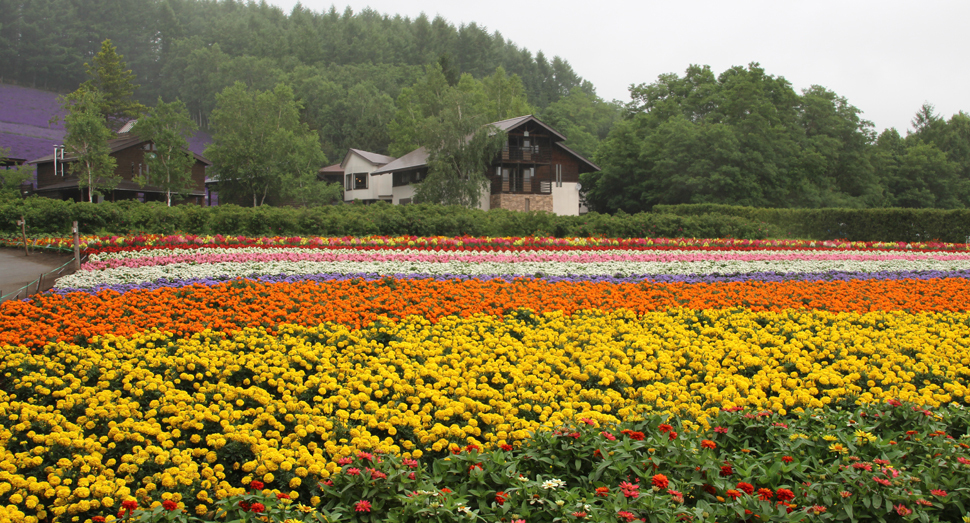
[(885, 57)]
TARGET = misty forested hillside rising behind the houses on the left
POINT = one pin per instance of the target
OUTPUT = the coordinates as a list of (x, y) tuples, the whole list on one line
[(347, 68)]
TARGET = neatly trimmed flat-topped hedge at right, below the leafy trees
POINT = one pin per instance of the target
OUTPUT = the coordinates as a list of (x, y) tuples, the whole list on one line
[(892, 224)]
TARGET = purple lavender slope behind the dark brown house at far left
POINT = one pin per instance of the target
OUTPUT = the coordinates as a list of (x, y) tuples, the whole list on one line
[(25, 129)]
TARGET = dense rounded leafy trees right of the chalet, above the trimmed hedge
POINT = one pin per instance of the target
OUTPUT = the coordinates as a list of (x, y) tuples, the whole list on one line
[(745, 137)]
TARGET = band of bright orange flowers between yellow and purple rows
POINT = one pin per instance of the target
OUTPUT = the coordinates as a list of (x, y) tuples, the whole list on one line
[(231, 306)]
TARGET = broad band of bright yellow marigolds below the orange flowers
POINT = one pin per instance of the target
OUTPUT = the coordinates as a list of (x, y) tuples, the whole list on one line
[(193, 419)]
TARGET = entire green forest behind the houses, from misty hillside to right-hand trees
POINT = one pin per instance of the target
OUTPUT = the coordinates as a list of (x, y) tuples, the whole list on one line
[(743, 136)]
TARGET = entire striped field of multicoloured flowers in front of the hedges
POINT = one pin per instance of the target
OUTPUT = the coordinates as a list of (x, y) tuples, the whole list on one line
[(182, 369)]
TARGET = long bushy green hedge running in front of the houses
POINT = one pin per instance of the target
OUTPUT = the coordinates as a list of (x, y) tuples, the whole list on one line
[(54, 217)]
